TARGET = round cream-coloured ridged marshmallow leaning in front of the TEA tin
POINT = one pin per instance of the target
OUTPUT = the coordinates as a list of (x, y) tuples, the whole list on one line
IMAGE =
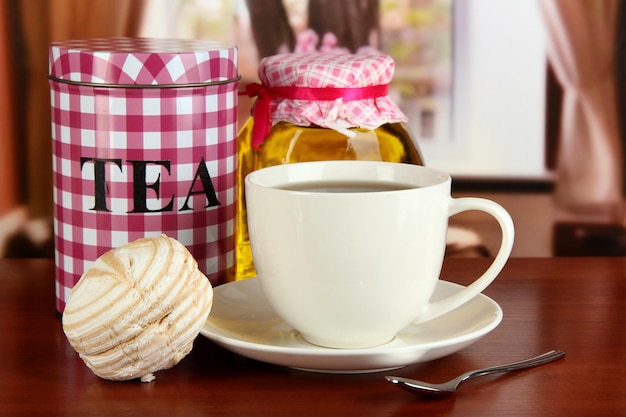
[(138, 309)]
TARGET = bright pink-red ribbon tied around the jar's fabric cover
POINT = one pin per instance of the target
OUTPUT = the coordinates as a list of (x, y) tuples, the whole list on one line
[(261, 111)]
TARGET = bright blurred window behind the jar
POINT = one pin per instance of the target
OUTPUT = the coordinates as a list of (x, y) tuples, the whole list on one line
[(470, 75)]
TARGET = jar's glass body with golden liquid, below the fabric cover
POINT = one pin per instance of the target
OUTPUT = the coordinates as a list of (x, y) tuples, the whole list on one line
[(289, 143)]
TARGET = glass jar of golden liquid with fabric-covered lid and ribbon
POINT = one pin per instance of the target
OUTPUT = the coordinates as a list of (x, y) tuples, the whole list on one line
[(313, 107)]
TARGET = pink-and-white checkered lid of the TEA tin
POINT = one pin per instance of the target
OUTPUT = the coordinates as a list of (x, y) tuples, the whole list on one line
[(142, 62)]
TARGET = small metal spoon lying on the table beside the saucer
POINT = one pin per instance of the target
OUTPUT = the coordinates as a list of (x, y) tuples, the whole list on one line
[(446, 388)]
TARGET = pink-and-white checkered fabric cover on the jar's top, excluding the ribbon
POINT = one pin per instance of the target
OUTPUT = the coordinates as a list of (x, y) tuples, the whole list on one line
[(328, 69)]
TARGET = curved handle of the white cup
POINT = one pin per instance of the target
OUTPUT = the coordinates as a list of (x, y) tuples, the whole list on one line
[(456, 206)]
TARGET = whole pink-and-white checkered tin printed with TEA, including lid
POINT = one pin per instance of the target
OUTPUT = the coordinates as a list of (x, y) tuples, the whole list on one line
[(144, 143)]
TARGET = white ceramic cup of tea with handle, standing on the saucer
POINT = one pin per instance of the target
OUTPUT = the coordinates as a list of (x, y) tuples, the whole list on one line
[(351, 269)]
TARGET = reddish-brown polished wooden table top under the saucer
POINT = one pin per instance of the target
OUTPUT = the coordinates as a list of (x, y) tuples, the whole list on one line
[(574, 304)]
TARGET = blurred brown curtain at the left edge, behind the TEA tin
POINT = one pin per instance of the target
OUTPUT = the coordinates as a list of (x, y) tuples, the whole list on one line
[(26, 30)]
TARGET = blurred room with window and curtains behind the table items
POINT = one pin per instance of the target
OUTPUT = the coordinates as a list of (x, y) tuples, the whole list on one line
[(521, 101)]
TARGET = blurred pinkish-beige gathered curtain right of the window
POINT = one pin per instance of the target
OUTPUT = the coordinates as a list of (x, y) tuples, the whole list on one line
[(581, 49)]
